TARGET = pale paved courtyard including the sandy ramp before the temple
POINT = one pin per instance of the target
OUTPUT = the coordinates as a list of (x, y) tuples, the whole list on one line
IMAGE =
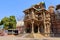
[(28, 37)]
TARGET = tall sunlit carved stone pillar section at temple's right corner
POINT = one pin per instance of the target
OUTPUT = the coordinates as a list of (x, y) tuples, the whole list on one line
[(46, 25)]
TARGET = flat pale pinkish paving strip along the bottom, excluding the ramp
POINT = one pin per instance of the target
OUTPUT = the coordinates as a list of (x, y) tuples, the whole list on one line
[(19, 38)]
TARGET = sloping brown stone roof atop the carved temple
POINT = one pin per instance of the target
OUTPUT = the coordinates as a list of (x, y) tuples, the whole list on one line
[(35, 7)]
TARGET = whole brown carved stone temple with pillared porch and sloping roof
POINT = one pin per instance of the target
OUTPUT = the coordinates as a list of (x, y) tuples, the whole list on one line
[(39, 20)]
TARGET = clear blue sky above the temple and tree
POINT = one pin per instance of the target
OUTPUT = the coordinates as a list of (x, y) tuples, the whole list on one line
[(16, 7)]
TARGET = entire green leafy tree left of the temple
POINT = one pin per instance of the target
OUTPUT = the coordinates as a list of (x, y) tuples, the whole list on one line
[(9, 22)]
